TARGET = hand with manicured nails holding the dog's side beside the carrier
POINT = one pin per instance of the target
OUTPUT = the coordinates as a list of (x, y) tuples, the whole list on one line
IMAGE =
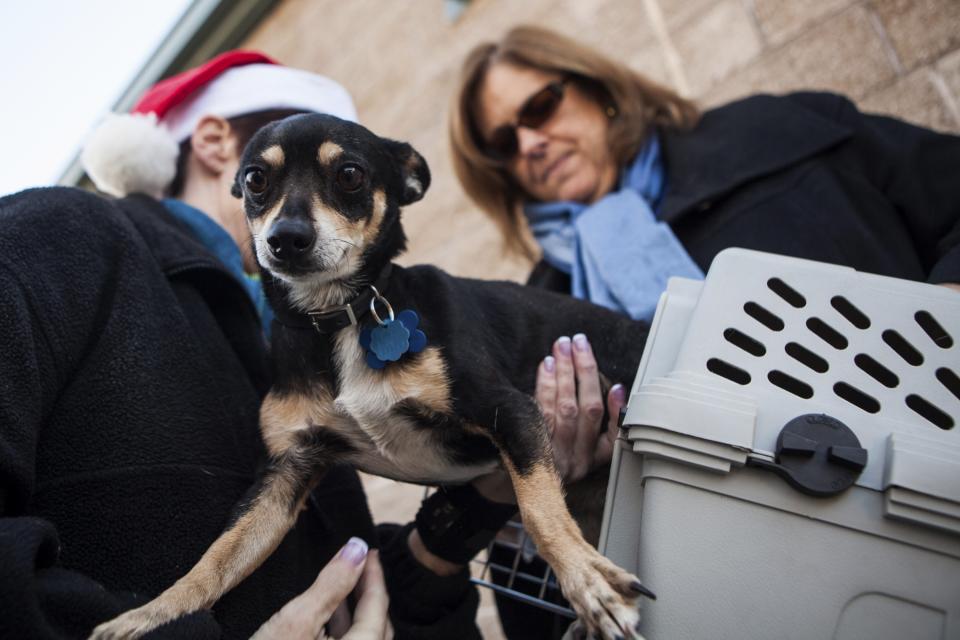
[(568, 391)]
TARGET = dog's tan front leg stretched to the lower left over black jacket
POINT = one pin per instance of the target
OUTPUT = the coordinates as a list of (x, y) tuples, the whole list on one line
[(257, 528)]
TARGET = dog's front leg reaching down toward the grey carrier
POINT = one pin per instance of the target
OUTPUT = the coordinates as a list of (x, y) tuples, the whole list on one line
[(603, 595)]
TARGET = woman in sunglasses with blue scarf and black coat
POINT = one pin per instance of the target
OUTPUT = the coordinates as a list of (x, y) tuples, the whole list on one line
[(617, 184)]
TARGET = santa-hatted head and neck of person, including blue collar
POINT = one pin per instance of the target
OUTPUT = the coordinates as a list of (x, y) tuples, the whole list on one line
[(184, 137)]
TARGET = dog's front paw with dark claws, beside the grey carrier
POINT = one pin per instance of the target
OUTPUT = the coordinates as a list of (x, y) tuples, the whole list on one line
[(605, 597)]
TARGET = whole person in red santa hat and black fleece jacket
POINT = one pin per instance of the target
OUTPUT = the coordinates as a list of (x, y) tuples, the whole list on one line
[(132, 365)]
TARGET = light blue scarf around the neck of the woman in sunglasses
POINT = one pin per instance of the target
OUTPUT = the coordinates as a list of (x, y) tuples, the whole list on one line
[(616, 251)]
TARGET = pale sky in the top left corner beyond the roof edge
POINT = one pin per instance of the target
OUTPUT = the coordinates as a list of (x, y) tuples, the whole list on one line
[(66, 62)]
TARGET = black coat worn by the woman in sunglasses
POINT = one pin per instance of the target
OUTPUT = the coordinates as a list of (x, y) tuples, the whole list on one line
[(809, 176)]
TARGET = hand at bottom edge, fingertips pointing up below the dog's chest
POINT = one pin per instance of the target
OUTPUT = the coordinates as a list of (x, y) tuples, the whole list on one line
[(305, 616)]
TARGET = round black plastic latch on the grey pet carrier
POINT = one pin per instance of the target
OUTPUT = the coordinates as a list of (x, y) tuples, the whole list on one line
[(818, 455)]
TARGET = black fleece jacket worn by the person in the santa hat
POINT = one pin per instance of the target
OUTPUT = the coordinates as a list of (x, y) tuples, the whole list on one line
[(131, 373)]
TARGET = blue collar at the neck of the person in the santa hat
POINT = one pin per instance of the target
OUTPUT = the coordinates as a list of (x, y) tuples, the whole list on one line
[(221, 244)]
